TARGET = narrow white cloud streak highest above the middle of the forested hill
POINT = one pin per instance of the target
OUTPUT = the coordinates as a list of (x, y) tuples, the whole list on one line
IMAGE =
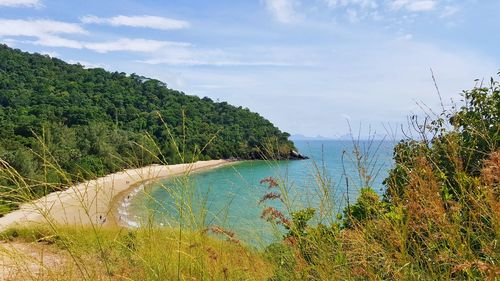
[(138, 21)]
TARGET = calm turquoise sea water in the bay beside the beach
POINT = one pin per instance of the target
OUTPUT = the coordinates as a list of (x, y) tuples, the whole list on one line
[(229, 196)]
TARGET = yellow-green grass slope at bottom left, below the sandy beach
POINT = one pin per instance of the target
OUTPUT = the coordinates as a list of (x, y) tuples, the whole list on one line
[(148, 253)]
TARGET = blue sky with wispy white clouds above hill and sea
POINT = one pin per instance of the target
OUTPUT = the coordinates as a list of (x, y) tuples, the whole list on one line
[(309, 66)]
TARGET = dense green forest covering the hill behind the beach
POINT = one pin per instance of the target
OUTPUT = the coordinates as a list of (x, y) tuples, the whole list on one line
[(89, 122)]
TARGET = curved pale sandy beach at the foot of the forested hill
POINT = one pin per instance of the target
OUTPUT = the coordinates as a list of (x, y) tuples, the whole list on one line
[(95, 201)]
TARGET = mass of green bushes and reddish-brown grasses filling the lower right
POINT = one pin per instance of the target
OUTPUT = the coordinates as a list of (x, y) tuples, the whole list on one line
[(439, 217)]
